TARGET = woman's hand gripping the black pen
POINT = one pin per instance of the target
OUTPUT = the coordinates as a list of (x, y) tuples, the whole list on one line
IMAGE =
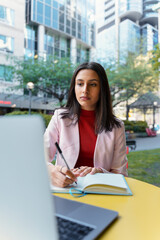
[(61, 176)]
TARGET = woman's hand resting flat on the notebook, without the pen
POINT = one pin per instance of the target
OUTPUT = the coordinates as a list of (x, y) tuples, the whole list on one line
[(84, 170)]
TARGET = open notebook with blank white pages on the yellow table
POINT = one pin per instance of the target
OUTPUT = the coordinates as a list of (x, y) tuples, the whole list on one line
[(99, 183)]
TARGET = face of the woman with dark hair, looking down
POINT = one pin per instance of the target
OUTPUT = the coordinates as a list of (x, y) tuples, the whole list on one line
[(87, 89)]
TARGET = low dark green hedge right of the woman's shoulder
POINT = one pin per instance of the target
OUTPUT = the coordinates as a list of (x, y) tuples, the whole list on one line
[(135, 126)]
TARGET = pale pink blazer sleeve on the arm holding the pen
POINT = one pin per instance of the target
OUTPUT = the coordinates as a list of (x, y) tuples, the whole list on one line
[(51, 136)]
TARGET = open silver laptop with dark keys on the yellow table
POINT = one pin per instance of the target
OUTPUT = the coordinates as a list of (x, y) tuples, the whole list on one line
[(28, 210)]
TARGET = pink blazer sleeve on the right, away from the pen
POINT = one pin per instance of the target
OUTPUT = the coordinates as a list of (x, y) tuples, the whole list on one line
[(119, 161)]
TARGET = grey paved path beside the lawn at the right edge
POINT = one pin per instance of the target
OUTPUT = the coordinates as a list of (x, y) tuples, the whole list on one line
[(147, 143)]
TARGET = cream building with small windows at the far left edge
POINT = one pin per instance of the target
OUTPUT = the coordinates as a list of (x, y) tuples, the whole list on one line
[(12, 20)]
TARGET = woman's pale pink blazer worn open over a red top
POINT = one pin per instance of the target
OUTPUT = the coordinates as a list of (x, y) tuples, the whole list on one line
[(110, 149)]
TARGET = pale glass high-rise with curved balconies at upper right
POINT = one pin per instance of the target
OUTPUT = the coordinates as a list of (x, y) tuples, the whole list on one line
[(127, 26)]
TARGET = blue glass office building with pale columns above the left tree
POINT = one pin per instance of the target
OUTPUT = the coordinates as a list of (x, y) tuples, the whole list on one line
[(61, 27)]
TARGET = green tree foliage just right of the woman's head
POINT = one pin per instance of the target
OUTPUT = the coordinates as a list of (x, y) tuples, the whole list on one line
[(130, 78)]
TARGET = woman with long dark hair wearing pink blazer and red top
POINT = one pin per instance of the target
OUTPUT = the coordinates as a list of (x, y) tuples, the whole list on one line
[(91, 137)]
